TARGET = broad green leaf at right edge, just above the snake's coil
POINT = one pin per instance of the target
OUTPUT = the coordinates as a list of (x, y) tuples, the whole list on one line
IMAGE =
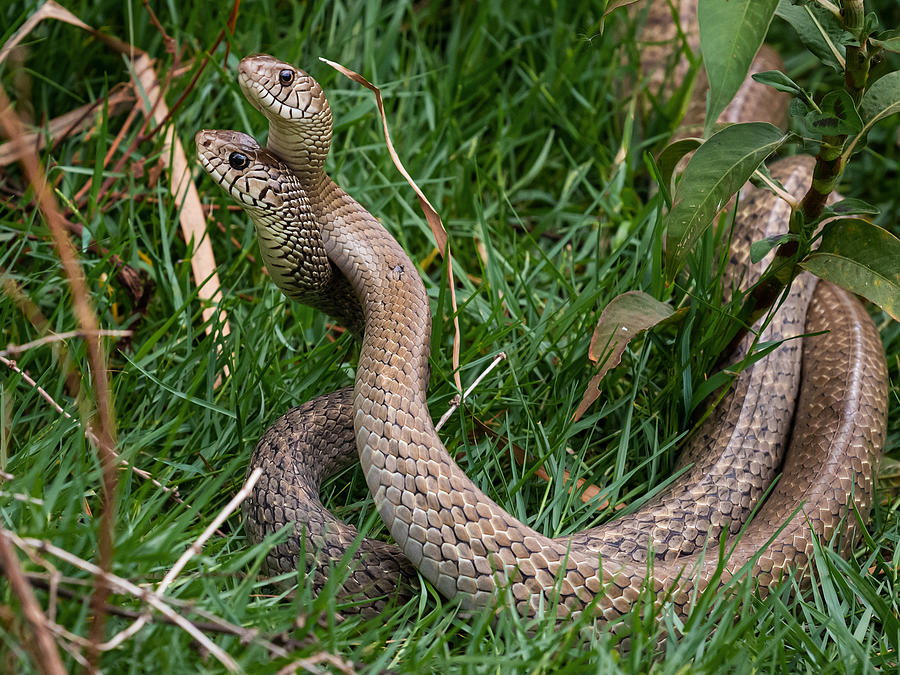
[(862, 258)]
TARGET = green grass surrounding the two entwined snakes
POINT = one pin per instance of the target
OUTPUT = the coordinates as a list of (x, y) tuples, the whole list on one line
[(510, 118)]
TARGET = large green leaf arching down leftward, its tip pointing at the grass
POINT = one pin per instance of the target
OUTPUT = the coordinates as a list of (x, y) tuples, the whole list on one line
[(717, 170)]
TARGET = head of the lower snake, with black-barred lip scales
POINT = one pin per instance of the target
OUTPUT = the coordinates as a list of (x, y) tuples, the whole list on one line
[(250, 174)]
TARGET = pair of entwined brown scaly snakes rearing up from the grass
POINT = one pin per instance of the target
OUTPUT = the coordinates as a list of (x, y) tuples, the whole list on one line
[(318, 242)]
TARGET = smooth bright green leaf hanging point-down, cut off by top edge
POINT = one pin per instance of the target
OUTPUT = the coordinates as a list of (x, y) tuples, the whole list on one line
[(730, 35)]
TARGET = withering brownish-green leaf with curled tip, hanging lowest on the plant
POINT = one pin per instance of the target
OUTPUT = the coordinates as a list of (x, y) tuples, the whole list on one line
[(624, 318)]
